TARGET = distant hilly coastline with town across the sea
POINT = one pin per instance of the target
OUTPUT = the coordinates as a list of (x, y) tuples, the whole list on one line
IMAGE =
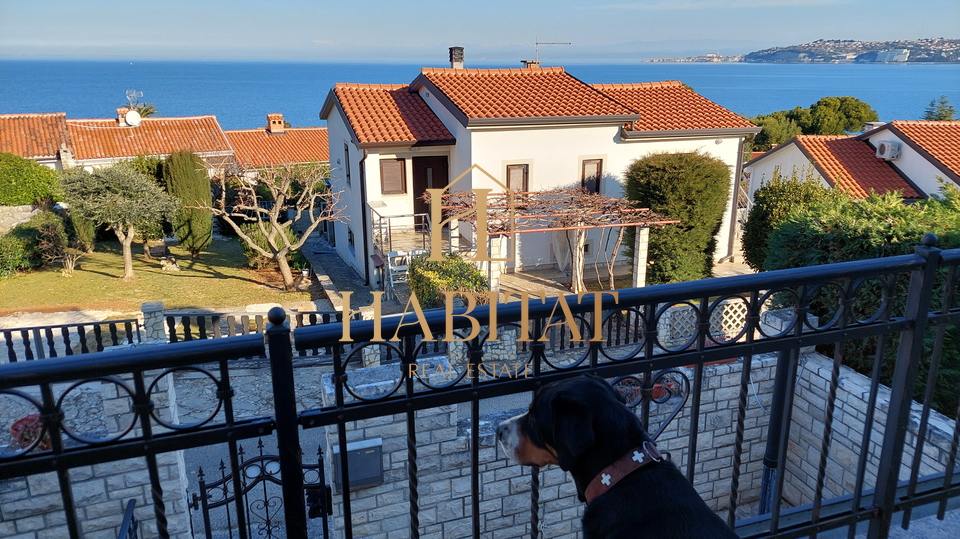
[(834, 51)]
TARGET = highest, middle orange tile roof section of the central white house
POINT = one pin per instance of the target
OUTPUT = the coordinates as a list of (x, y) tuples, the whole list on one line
[(521, 93)]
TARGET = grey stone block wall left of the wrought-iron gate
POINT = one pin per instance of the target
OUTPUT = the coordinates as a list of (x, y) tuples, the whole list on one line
[(31, 507)]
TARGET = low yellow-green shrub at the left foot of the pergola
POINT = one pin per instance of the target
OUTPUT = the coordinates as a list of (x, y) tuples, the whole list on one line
[(429, 279)]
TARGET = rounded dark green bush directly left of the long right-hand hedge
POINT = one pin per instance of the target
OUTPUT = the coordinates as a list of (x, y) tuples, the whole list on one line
[(772, 202)]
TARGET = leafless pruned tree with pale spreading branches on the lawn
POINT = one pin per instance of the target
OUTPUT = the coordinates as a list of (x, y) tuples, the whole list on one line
[(267, 198)]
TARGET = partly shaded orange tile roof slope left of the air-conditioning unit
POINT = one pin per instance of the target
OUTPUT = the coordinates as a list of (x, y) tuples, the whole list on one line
[(852, 165)]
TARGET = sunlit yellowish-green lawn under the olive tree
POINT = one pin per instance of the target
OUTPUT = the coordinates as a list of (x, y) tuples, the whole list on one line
[(219, 279)]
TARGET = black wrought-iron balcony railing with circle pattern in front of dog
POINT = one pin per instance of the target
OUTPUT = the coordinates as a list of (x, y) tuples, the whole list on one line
[(908, 325)]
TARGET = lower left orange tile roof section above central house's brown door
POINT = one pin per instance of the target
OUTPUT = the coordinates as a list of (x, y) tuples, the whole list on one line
[(382, 113)]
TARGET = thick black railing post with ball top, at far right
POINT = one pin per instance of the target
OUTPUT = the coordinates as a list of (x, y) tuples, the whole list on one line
[(904, 381)]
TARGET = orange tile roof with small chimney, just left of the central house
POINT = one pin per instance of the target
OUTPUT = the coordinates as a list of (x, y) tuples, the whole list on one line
[(259, 148)]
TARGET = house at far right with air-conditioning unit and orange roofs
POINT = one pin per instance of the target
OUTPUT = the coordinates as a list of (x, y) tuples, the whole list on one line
[(905, 156)]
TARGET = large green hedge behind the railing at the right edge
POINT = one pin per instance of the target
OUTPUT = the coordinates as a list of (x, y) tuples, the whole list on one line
[(846, 229)]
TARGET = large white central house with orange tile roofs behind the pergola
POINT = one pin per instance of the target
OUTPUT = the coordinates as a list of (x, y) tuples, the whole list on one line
[(534, 129)]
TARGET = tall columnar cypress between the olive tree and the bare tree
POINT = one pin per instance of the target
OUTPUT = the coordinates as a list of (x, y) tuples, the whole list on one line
[(187, 180)]
